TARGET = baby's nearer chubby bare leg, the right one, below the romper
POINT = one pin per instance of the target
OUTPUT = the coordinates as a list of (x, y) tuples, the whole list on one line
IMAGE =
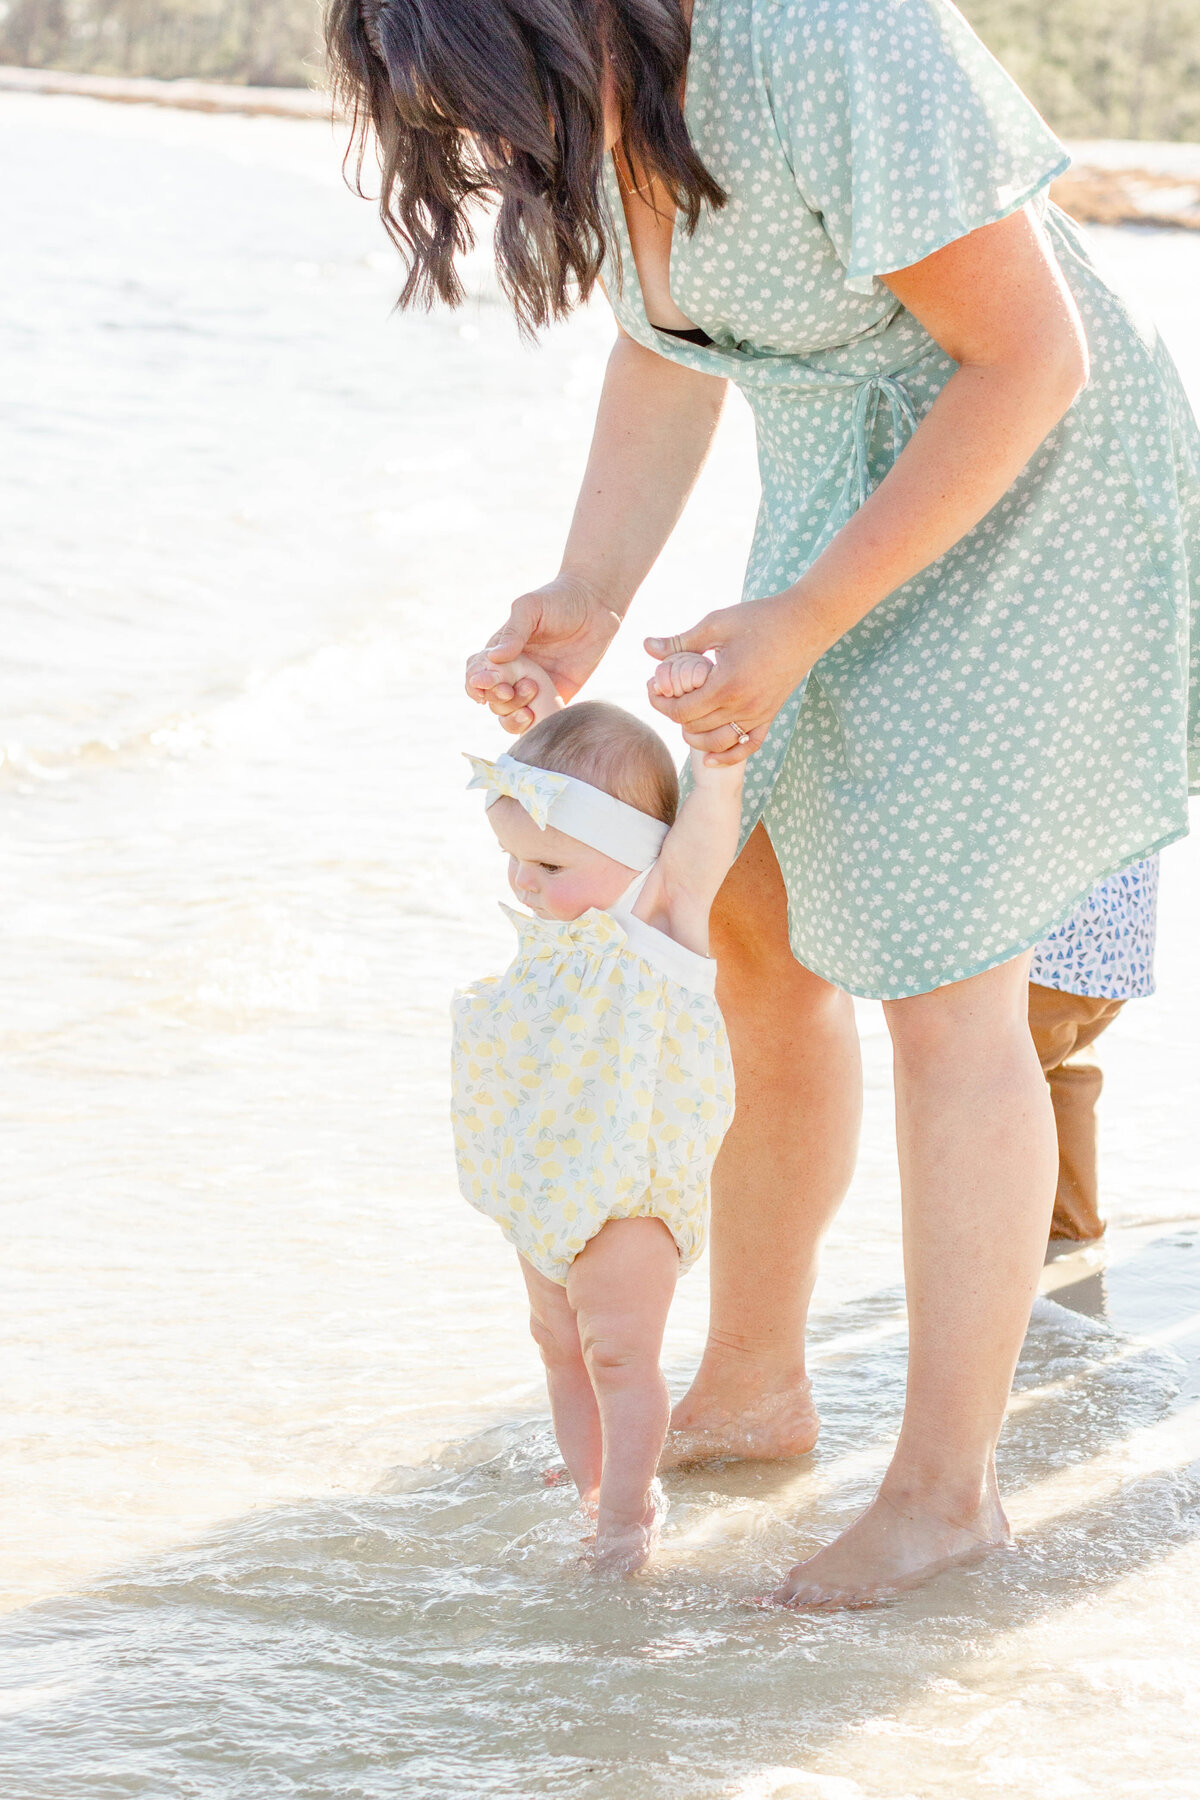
[(622, 1290)]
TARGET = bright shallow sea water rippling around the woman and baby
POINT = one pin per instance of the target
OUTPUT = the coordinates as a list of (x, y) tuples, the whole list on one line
[(274, 1518)]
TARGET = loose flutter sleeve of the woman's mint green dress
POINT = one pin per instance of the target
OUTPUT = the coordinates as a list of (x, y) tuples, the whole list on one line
[(902, 130)]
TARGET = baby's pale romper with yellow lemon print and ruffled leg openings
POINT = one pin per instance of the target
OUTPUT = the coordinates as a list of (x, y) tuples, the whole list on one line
[(591, 1083)]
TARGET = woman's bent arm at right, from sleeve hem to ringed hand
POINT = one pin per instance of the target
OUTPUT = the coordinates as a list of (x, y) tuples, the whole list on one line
[(998, 303)]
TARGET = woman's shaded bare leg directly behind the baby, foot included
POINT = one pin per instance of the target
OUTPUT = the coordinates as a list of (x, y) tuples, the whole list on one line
[(782, 1174)]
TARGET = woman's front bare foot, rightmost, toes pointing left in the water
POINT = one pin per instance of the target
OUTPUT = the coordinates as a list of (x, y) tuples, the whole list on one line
[(891, 1549)]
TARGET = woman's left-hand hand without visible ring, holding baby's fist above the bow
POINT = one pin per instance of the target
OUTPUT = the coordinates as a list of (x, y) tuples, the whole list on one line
[(564, 629)]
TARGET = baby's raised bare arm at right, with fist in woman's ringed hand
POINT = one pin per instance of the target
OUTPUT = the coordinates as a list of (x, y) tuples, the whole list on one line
[(701, 847)]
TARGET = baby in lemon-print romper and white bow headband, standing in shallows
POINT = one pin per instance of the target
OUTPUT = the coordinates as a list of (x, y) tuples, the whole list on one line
[(591, 1081)]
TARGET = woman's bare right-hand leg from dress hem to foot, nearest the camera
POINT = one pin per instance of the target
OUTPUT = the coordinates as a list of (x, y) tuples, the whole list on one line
[(978, 1165)]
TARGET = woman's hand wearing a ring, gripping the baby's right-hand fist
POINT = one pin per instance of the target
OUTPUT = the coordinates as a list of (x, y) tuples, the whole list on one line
[(762, 656)]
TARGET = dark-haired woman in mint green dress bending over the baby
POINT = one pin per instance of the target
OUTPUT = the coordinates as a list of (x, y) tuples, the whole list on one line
[(960, 663)]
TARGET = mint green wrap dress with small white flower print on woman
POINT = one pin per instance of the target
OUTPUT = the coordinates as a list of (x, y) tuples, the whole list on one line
[(1012, 724)]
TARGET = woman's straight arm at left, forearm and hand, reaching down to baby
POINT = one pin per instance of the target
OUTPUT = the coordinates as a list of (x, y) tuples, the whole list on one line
[(654, 429)]
